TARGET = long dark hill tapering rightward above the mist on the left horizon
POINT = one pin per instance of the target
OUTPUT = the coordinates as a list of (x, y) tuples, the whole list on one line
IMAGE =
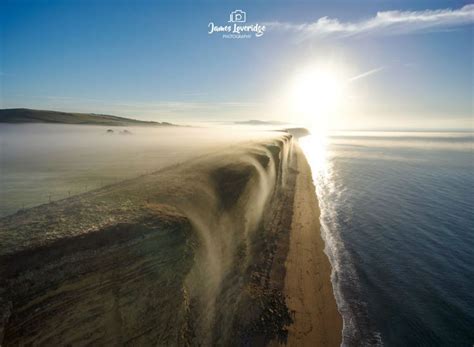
[(24, 115)]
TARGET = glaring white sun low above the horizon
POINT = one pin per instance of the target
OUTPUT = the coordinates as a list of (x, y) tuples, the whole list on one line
[(316, 94)]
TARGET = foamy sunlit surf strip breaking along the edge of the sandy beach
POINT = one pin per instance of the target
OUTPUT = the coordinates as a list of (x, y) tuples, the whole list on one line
[(357, 329)]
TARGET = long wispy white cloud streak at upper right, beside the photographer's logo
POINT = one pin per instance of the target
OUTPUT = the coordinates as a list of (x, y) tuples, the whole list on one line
[(384, 23)]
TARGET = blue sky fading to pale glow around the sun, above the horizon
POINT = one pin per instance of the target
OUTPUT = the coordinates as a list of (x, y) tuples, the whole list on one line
[(399, 64)]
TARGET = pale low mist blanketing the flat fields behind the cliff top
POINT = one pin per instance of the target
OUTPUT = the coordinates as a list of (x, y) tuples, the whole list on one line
[(41, 163)]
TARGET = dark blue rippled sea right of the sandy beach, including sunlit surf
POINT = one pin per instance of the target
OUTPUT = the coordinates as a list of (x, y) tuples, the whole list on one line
[(397, 217)]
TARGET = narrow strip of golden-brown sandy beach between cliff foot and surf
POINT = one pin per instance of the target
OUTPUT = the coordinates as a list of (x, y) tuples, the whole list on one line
[(308, 289)]
